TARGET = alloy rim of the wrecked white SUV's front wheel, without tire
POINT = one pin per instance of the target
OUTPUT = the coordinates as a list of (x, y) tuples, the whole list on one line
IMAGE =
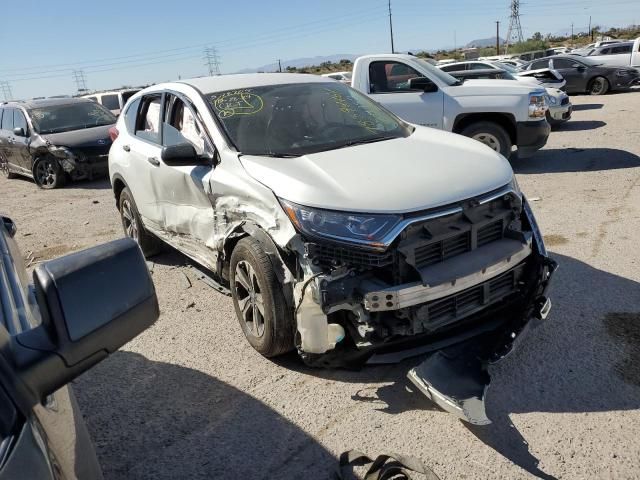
[(249, 297)]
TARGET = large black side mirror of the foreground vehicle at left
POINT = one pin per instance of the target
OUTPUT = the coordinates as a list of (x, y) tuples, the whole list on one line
[(92, 303)]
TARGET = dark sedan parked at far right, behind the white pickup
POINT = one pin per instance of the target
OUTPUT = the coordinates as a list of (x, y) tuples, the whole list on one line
[(584, 75)]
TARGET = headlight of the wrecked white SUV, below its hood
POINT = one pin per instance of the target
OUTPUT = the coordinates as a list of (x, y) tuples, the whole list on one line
[(365, 229)]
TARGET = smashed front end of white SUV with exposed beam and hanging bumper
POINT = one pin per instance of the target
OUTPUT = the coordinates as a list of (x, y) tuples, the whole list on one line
[(463, 281)]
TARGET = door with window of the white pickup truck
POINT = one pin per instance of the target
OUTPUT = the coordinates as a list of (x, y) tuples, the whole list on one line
[(389, 85)]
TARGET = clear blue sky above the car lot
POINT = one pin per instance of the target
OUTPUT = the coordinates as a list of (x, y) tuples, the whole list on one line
[(129, 42)]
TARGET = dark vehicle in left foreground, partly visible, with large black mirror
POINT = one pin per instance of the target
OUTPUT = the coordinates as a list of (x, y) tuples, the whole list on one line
[(75, 311)]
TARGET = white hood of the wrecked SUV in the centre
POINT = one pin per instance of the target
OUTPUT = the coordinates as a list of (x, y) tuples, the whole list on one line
[(430, 168)]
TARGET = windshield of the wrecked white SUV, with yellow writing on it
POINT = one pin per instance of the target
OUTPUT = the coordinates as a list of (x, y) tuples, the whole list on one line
[(301, 118)]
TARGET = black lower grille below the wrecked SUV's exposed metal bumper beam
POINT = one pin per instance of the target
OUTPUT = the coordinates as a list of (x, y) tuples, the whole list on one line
[(466, 302)]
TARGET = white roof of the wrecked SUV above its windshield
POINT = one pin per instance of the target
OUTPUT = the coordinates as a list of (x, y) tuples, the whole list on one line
[(222, 83)]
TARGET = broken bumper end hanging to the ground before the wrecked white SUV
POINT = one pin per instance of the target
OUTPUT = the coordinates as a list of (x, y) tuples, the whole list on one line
[(455, 380)]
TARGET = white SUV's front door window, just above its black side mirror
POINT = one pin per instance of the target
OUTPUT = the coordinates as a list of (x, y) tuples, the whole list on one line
[(180, 125)]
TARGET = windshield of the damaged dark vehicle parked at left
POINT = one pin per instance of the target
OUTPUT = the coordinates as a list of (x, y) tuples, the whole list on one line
[(70, 116)]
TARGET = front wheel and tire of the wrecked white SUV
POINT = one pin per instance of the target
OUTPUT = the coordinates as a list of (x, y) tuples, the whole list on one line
[(270, 331)]
